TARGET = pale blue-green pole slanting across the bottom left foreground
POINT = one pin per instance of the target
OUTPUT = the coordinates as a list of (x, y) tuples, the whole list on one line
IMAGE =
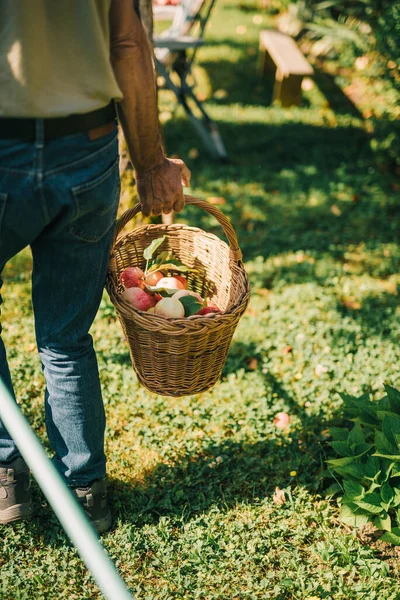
[(65, 506)]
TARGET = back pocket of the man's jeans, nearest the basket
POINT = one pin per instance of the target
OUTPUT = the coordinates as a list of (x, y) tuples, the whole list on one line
[(96, 204)]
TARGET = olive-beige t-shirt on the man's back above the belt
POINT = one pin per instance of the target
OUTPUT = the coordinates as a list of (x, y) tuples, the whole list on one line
[(55, 57)]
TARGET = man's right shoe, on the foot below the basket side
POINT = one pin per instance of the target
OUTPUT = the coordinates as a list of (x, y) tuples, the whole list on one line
[(93, 500)]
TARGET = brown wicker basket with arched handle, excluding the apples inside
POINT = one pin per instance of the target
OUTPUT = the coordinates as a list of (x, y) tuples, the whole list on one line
[(177, 357)]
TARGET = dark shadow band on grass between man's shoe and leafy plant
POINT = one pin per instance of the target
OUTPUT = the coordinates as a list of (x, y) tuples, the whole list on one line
[(222, 475)]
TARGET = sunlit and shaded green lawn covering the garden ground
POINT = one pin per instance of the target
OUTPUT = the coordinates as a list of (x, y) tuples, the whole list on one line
[(193, 480)]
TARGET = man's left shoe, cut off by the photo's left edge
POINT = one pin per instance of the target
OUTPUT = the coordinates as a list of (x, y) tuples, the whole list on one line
[(15, 493)]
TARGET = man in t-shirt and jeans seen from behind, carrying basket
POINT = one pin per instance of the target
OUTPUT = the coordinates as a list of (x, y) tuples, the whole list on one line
[(62, 66)]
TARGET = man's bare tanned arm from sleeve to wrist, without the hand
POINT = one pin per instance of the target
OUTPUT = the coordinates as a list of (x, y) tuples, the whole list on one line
[(133, 68)]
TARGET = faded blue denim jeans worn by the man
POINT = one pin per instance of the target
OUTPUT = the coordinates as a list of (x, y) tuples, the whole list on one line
[(60, 197)]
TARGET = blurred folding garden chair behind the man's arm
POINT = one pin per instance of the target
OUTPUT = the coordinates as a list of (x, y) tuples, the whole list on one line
[(175, 52)]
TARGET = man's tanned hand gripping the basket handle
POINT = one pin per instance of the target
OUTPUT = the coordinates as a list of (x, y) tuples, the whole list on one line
[(160, 190)]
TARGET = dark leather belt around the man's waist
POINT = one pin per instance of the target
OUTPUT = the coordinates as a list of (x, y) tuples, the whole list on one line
[(25, 128)]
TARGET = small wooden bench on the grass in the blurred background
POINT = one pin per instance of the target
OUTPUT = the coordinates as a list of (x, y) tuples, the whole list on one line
[(282, 56)]
